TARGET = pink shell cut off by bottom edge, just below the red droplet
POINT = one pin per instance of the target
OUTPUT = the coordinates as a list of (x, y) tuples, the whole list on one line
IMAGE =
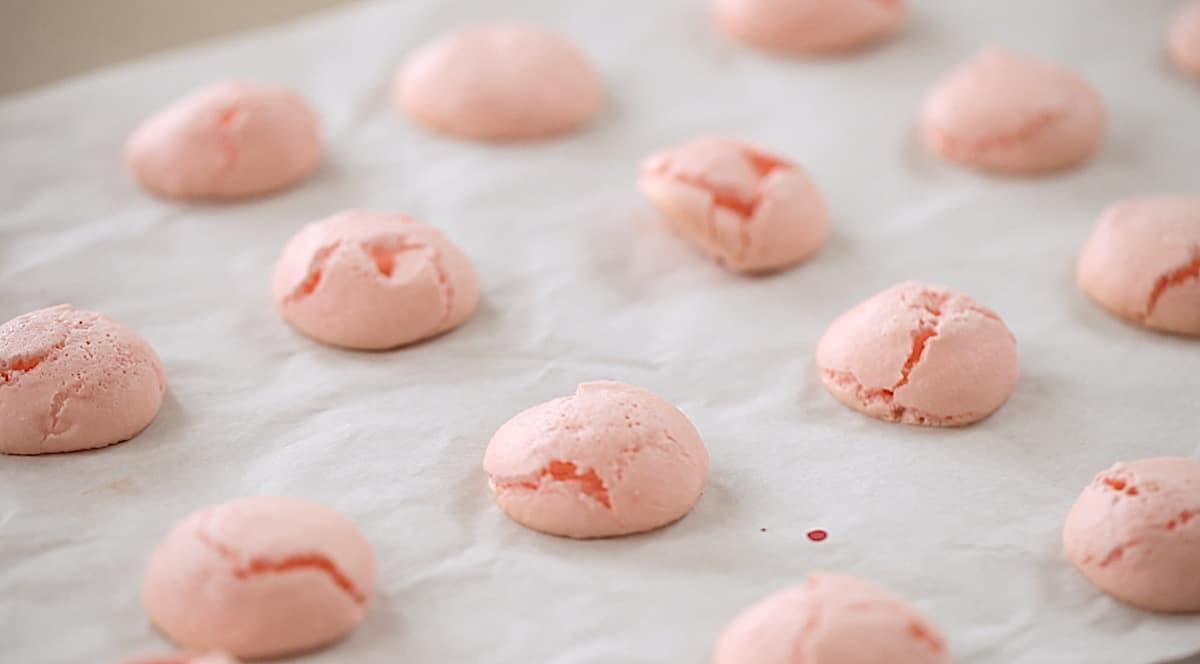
[(832, 619)]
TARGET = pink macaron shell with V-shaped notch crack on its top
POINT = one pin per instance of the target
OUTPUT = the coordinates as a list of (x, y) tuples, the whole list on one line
[(374, 282)]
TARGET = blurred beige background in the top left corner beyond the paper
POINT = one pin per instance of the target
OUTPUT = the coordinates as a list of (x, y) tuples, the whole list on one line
[(43, 41)]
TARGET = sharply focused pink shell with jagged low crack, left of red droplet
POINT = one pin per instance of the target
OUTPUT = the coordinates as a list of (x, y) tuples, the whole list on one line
[(611, 459)]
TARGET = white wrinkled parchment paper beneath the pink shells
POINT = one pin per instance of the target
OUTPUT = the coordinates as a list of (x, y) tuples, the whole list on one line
[(583, 283)]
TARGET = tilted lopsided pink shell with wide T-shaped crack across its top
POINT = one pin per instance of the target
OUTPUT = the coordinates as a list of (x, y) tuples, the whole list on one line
[(752, 211)]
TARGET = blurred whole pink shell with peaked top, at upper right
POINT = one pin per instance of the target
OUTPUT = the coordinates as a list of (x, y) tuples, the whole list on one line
[(1013, 115)]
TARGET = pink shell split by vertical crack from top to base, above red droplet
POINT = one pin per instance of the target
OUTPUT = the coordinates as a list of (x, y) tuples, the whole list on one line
[(920, 355)]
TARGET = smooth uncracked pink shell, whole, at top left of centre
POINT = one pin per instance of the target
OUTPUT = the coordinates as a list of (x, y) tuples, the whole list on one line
[(500, 82)]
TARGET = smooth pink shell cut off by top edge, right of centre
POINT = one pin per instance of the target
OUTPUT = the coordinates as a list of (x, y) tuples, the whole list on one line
[(809, 26)]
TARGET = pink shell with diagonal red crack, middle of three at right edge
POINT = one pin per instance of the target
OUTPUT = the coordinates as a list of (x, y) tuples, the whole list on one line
[(1143, 262)]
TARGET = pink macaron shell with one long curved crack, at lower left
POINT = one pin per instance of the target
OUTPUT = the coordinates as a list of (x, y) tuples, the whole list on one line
[(260, 577)]
